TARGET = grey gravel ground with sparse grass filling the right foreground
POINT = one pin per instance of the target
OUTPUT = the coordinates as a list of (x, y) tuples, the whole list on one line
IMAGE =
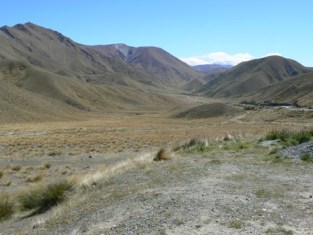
[(225, 192)]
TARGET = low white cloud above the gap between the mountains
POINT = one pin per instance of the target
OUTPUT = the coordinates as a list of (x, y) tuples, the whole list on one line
[(218, 58)]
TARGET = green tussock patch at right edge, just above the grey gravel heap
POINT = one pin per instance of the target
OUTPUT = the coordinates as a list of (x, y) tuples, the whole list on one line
[(290, 138)]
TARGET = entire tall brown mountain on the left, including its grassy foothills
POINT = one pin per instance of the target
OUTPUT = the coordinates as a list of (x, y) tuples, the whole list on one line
[(46, 76)]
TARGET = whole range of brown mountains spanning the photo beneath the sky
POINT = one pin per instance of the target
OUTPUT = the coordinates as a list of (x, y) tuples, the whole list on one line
[(45, 75)]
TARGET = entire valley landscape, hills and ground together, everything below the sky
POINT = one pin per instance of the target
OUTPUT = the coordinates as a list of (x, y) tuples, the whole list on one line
[(81, 128)]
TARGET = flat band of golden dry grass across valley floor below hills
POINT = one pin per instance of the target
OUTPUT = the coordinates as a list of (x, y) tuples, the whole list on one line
[(114, 133)]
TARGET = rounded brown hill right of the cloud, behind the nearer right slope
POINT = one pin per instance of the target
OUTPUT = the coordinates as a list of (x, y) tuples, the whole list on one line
[(252, 76)]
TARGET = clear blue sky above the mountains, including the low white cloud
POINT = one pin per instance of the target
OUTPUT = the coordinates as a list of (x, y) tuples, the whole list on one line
[(196, 31)]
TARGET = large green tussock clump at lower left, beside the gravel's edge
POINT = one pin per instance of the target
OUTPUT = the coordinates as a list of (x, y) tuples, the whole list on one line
[(43, 197)]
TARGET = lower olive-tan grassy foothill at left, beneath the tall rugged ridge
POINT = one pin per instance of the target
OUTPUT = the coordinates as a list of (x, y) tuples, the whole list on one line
[(29, 93)]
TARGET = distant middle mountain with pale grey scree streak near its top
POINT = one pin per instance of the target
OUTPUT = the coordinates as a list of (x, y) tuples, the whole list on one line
[(152, 60)]
